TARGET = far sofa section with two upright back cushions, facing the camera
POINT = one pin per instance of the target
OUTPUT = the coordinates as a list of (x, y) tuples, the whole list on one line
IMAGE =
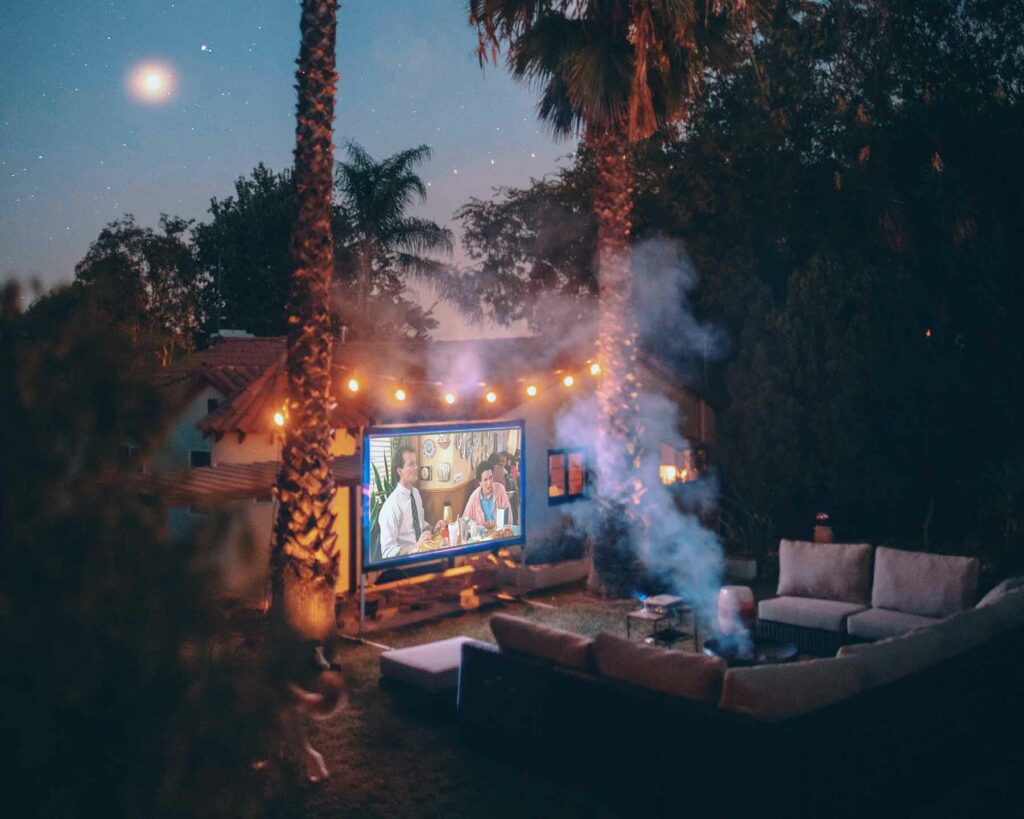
[(832, 594)]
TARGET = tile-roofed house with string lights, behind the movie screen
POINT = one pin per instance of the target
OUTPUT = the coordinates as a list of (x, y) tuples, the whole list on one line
[(235, 415)]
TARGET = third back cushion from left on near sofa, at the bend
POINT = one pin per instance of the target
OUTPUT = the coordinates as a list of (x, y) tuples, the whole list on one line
[(775, 693)]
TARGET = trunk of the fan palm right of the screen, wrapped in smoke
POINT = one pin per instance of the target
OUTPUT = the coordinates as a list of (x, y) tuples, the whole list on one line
[(620, 484)]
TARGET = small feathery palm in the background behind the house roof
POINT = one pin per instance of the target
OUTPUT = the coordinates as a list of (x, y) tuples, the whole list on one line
[(375, 197)]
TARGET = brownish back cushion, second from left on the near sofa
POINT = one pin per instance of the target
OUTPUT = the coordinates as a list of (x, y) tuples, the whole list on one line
[(672, 672)]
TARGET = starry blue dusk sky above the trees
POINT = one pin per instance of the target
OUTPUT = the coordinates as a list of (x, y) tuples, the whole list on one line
[(79, 150)]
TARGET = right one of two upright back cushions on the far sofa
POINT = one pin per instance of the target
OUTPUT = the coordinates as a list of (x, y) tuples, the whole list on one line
[(918, 583)]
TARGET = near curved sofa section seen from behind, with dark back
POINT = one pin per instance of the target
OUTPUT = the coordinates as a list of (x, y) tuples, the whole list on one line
[(881, 727)]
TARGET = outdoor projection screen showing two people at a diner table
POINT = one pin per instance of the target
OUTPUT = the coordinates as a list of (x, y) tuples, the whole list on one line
[(441, 491)]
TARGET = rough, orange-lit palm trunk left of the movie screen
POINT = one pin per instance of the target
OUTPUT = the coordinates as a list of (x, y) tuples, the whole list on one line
[(305, 559)]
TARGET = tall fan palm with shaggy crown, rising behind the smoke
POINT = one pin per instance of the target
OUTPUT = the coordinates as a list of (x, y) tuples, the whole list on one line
[(614, 71)]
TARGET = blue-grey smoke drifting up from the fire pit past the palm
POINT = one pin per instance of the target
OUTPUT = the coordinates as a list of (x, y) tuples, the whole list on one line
[(681, 554)]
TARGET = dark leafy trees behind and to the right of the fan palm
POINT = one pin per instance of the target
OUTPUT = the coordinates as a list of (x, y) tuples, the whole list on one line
[(850, 197)]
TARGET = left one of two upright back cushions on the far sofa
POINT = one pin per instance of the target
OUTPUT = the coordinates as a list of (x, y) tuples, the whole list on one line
[(829, 572)]
